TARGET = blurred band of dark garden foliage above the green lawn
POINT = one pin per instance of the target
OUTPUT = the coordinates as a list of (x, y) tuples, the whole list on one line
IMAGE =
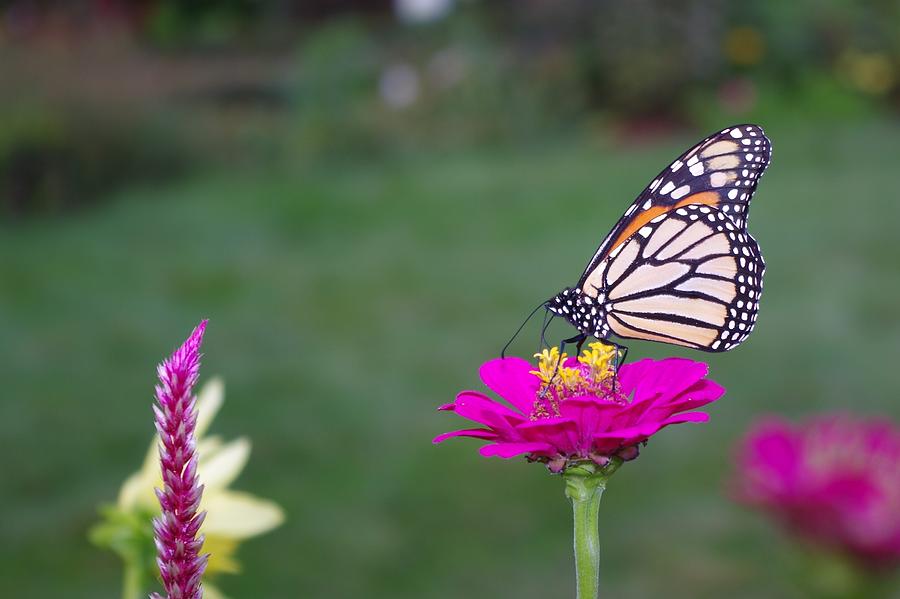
[(265, 82)]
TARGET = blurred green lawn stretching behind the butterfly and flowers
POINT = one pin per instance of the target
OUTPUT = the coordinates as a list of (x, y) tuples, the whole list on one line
[(347, 301)]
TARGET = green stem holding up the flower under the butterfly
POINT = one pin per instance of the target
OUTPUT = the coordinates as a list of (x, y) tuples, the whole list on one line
[(585, 484)]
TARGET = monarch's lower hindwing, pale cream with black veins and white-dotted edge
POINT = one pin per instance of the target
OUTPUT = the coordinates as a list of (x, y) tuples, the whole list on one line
[(689, 277)]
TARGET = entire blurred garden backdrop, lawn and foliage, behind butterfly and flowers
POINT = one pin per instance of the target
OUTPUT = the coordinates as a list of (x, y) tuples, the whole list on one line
[(366, 198)]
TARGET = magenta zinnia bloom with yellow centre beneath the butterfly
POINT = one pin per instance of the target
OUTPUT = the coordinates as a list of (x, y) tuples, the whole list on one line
[(580, 411)]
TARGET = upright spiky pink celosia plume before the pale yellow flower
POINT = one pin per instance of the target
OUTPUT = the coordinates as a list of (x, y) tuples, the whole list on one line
[(176, 530)]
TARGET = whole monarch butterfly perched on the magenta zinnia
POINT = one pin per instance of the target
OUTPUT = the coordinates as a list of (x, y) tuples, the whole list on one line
[(680, 267)]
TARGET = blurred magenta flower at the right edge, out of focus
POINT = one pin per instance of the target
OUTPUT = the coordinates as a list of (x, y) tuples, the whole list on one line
[(833, 480)]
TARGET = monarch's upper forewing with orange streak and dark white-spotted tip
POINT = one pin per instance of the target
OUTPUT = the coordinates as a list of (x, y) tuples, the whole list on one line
[(722, 171)]
